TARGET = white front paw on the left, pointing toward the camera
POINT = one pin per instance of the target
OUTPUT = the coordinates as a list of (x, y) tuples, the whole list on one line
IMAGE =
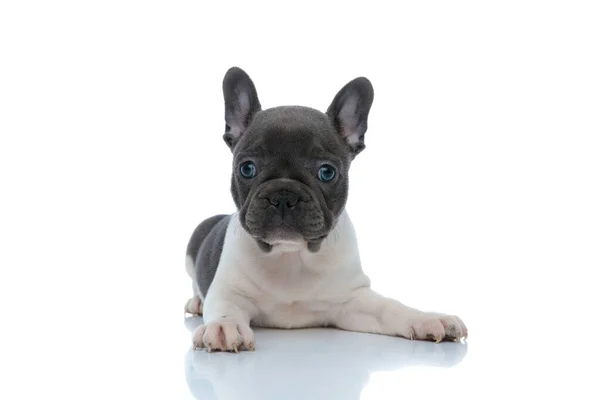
[(224, 335)]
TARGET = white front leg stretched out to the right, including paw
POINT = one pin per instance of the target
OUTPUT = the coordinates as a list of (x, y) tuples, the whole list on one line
[(368, 311)]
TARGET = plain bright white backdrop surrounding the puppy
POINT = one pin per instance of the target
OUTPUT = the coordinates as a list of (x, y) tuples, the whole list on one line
[(478, 193)]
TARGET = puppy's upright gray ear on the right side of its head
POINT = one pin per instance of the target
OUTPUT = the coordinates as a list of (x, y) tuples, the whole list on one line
[(349, 112)]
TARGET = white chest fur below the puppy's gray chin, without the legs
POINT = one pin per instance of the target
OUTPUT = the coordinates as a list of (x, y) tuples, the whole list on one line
[(289, 286)]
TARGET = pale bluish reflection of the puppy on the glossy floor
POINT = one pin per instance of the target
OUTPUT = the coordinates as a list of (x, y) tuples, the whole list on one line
[(308, 364)]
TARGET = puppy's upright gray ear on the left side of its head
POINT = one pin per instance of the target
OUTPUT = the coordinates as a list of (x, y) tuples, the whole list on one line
[(241, 104)]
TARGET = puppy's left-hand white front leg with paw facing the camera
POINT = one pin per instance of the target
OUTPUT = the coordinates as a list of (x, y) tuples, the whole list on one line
[(226, 323)]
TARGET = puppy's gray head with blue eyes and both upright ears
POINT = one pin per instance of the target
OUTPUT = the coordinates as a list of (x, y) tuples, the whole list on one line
[(290, 164)]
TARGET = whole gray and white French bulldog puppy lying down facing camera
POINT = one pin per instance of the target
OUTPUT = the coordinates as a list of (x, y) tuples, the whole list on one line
[(288, 258)]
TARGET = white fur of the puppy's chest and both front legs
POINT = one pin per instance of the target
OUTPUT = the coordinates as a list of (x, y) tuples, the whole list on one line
[(290, 287)]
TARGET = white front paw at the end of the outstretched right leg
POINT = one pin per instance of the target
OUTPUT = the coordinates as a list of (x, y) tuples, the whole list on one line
[(436, 327)]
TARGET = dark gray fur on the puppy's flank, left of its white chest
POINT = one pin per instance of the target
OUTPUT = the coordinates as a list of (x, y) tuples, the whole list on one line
[(205, 248)]
